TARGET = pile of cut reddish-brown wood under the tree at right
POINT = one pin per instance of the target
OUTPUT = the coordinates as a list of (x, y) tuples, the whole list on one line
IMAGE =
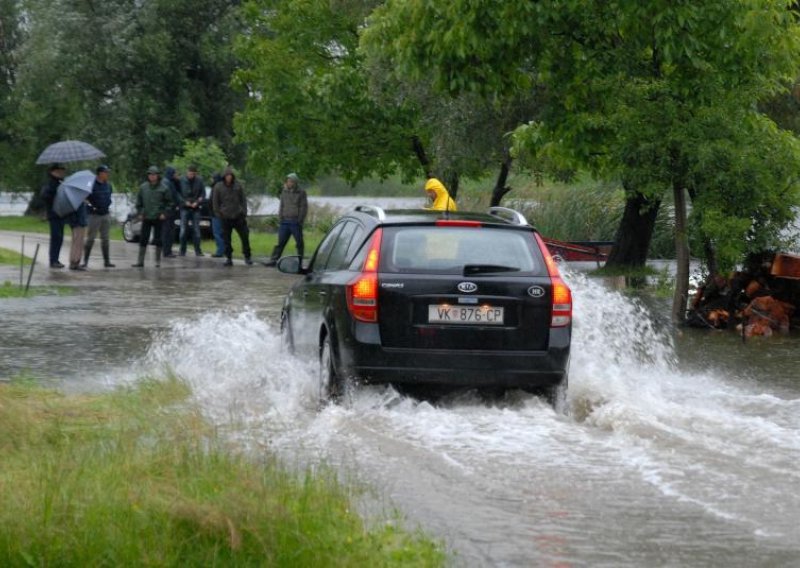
[(759, 300)]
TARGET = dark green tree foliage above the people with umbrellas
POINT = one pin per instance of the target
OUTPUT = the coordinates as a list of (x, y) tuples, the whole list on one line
[(133, 78)]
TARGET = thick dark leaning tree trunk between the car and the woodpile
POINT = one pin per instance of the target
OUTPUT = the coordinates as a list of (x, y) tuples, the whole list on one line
[(635, 231)]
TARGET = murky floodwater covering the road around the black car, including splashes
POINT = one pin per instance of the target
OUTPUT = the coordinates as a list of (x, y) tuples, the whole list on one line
[(681, 449)]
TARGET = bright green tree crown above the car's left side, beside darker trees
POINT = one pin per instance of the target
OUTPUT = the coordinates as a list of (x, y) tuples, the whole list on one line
[(308, 108)]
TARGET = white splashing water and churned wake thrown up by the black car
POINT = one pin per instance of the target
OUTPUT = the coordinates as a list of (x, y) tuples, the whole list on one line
[(709, 447)]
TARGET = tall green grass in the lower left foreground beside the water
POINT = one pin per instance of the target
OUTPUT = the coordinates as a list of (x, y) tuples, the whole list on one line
[(138, 478)]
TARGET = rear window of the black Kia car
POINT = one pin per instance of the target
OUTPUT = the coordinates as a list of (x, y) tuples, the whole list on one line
[(448, 250)]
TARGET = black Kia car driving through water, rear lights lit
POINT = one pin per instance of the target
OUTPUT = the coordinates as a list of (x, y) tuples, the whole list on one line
[(421, 298)]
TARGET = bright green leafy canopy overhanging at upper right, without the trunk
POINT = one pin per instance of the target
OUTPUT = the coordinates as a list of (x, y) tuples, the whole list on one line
[(661, 95)]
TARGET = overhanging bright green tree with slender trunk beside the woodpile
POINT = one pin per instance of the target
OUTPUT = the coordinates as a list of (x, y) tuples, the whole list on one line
[(627, 81)]
